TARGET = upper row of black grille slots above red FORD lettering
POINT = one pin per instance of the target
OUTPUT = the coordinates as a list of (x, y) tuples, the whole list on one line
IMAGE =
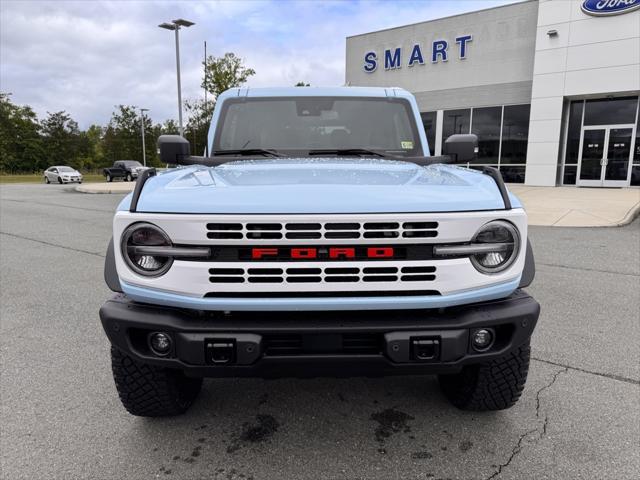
[(321, 230)]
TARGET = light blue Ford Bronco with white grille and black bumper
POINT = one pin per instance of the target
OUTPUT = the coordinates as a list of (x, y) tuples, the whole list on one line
[(318, 237)]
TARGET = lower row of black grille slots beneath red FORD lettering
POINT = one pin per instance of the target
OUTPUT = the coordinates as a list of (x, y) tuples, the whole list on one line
[(388, 273)]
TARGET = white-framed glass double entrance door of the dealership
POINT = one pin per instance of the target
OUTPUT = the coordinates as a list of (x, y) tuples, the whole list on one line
[(605, 156)]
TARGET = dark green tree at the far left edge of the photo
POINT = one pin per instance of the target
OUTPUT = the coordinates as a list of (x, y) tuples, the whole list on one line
[(21, 147)]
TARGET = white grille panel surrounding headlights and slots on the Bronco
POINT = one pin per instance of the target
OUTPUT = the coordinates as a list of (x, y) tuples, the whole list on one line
[(192, 279)]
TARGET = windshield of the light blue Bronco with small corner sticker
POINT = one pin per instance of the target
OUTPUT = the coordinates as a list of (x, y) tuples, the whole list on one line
[(286, 124)]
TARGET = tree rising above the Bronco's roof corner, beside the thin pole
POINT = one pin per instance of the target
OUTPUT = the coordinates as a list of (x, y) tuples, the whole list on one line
[(223, 73)]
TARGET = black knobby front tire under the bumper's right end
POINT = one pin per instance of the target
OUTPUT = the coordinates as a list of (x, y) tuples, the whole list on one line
[(493, 385)]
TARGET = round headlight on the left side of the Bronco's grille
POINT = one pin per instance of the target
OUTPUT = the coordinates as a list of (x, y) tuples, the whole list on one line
[(145, 235)]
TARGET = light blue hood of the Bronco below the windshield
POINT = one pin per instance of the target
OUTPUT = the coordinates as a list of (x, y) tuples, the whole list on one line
[(318, 185)]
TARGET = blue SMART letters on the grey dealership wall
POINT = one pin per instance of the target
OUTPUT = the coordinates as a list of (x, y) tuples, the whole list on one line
[(438, 51)]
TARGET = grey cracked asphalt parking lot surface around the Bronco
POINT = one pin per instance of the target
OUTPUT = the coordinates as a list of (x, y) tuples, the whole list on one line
[(579, 416)]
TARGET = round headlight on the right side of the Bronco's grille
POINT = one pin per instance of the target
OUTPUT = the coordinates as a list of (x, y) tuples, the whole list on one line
[(504, 236)]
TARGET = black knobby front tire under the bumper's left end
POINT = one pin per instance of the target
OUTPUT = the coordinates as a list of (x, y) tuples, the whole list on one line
[(150, 391)]
